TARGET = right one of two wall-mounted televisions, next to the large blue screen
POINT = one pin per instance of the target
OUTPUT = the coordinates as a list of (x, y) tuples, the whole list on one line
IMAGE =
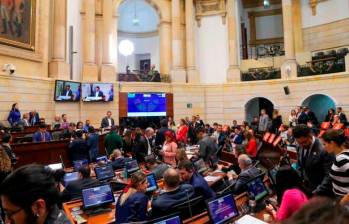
[(97, 92)]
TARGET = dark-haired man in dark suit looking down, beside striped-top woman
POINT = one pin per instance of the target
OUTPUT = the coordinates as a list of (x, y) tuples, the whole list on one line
[(313, 161)]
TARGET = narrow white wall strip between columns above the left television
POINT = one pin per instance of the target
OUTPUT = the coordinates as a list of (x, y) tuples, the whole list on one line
[(74, 19)]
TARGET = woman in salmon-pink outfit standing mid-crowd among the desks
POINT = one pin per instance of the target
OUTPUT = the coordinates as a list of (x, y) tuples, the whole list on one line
[(169, 149)]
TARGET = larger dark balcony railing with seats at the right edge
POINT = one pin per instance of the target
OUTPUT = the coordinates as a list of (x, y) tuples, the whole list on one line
[(324, 63)]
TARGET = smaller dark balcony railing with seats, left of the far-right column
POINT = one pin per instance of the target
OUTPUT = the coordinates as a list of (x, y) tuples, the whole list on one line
[(265, 73)]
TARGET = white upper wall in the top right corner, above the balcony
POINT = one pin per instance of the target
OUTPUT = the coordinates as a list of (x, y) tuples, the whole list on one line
[(326, 12)]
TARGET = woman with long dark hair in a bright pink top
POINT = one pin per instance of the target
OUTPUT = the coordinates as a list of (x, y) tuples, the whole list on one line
[(291, 195)]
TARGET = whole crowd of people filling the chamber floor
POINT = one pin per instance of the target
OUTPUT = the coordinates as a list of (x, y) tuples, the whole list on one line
[(321, 169)]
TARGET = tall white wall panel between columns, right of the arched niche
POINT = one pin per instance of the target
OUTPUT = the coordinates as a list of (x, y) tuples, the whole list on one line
[(212, 49)]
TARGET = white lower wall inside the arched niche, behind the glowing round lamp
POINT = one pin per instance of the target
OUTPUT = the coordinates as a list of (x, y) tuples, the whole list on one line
[(147, 45)]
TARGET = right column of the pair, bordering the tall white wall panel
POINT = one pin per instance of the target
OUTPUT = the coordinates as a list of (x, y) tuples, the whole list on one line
[(192, 72)]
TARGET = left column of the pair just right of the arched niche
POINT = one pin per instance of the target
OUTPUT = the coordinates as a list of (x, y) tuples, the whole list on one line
[(177, 72)]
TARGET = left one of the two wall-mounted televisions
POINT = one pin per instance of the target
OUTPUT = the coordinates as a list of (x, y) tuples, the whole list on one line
[(67, 91)]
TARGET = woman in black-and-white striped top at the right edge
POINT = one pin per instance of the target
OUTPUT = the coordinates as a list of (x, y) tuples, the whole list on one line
[(335, 142)]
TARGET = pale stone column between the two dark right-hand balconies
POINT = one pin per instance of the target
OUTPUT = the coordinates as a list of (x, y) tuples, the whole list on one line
[(289, 67)]
